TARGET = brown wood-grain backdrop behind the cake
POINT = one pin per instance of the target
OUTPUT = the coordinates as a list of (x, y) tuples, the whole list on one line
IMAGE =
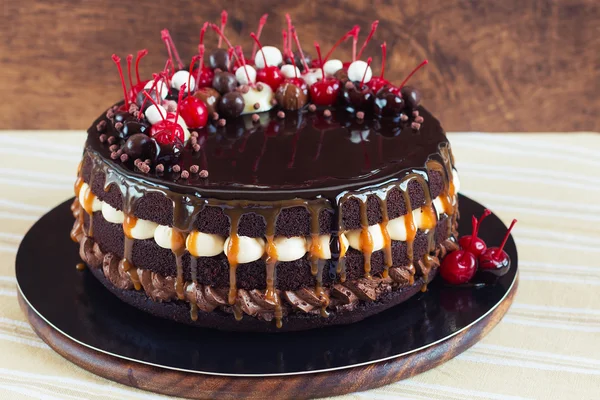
[(510, 65)]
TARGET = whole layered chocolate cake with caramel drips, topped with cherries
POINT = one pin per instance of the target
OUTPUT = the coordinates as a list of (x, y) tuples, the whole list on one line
[(260, 190)]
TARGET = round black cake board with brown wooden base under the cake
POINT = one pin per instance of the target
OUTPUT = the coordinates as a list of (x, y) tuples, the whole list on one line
[(76, 316)]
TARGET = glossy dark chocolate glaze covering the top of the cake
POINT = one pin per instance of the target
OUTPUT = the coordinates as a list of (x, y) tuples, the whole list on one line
[(304, 154)]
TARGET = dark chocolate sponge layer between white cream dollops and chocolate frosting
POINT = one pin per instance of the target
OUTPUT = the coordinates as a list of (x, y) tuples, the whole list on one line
[(292, 275)]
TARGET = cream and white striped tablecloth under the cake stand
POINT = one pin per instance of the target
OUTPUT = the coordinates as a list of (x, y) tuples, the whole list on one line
[(547, 346)]
